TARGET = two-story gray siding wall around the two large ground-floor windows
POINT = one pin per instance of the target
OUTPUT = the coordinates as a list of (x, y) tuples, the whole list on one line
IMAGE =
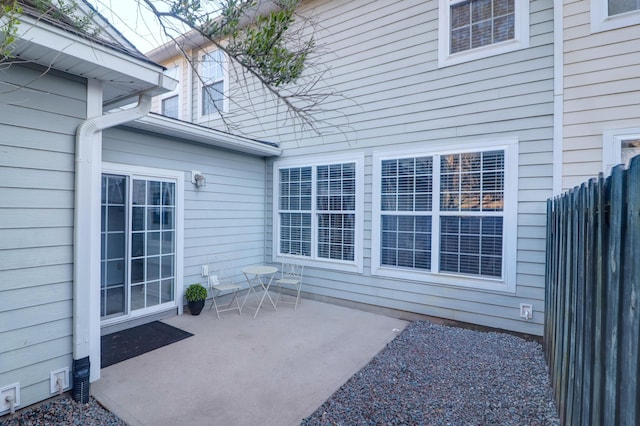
[(382, 59)]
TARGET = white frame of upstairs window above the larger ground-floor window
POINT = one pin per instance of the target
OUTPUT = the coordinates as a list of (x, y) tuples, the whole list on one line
[(520, 40)]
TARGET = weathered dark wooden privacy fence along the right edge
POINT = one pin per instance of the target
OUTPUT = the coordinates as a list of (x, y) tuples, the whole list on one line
[(592, 300)]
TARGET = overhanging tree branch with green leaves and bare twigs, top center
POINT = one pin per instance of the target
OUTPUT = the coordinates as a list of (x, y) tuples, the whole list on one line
[(268, 46)]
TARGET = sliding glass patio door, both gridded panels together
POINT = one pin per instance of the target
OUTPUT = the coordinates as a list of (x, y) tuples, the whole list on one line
[(138, 253)]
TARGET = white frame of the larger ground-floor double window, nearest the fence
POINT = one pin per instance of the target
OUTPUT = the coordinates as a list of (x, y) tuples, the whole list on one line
[(507, 283)]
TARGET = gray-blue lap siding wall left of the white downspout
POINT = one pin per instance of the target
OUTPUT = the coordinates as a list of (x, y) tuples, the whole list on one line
[(39, 114)]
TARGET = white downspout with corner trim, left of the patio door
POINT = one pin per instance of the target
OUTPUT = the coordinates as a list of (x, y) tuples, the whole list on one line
[(86, 239)]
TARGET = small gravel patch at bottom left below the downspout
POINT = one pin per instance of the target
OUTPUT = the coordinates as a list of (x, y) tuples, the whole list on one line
[(63, 411)]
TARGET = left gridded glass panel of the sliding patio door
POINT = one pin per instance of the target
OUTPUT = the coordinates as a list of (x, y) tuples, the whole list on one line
[(113, 246)]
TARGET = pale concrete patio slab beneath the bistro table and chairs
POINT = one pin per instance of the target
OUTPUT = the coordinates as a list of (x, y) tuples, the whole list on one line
[(274, 370)]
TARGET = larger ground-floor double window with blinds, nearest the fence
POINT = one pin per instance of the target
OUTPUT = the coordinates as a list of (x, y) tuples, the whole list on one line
[(446, 216)]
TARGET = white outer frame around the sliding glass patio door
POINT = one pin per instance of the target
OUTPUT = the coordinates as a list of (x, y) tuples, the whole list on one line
[(179, 177)]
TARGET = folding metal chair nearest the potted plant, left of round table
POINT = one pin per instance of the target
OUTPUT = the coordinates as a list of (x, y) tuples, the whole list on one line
[(220, 276)]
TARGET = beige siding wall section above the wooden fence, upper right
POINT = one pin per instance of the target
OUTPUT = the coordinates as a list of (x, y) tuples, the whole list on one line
[(601, 89)]
